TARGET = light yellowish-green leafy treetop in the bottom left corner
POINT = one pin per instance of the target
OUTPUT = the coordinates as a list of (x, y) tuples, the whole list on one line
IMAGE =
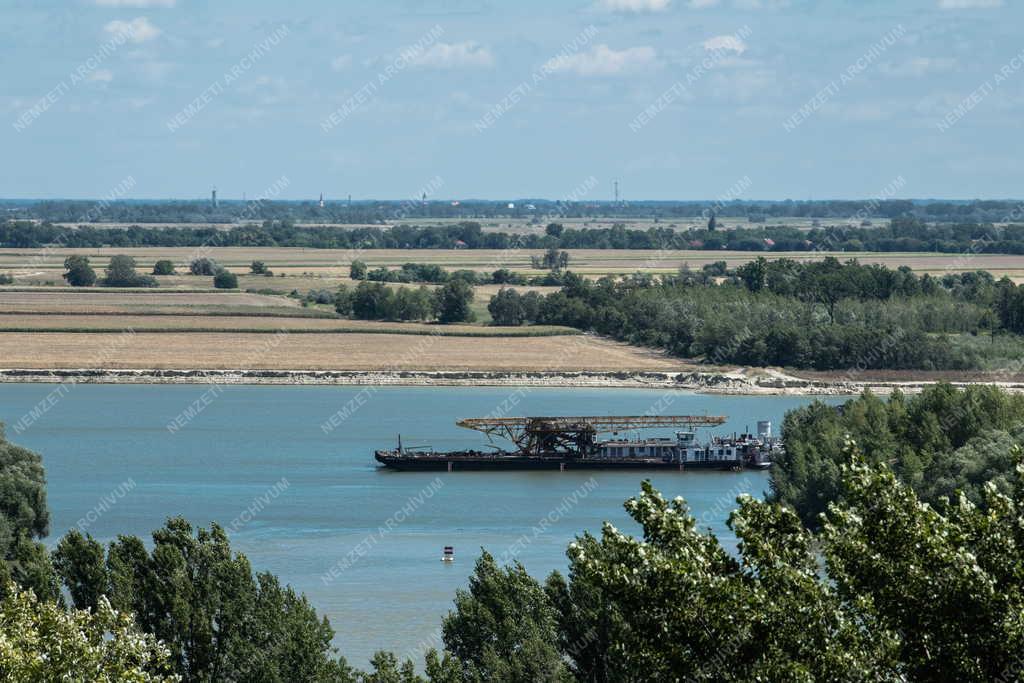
[(44, 644)]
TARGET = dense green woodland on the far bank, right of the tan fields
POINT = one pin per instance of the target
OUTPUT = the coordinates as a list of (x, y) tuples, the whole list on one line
[(824, 315)]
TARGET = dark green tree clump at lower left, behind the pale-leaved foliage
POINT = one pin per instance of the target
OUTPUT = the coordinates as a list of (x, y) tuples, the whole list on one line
[(220, 620)]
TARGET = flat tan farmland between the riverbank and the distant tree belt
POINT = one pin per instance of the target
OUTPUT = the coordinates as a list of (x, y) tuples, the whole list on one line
[(186, 324)]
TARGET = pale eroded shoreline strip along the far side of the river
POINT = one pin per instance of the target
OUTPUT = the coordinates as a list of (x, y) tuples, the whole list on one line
[(700, 382)]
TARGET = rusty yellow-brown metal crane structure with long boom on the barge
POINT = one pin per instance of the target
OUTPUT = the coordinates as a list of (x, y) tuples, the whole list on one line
[(575, 437)]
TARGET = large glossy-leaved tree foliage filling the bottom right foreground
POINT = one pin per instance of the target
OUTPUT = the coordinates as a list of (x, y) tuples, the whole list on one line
[(891, 589)]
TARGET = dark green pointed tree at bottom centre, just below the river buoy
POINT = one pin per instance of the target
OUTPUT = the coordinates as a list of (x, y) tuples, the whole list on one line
[(504, 628)]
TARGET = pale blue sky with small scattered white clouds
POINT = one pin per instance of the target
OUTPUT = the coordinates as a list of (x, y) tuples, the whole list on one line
[(676, 100)]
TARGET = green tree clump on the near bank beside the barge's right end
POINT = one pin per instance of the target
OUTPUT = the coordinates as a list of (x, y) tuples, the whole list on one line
[(943, 443)]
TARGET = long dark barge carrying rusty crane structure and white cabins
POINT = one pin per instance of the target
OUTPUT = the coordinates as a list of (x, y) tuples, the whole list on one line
[(570, 443)]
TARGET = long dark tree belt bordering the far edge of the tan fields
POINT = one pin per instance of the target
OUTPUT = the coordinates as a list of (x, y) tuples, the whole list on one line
[(902, 235)]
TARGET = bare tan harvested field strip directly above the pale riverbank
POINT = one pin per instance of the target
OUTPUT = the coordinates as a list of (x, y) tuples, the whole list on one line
[(324, 352)]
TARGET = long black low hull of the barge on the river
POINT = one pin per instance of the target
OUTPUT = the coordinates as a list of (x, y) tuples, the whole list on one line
[(459, 463)]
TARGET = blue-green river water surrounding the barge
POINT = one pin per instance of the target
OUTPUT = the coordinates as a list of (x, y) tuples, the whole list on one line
[(305, 499)]
